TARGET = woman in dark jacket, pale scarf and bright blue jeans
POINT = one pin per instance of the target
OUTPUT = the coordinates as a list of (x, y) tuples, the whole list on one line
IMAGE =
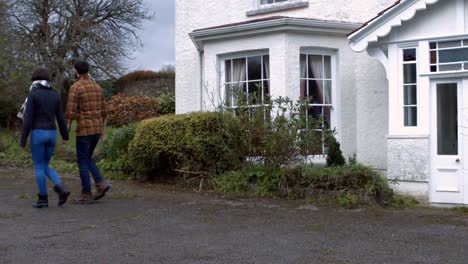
[(42, 108)]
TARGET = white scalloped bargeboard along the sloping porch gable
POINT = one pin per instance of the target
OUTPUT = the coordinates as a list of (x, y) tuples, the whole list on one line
[(382, 25)]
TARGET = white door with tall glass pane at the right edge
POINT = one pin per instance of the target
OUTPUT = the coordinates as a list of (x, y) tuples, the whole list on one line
[(447, 172)]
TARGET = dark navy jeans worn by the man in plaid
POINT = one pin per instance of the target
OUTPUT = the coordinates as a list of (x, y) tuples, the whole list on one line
[(85, 146)]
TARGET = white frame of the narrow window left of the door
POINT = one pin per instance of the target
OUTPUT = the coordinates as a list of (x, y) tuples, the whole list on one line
[(403, 84)]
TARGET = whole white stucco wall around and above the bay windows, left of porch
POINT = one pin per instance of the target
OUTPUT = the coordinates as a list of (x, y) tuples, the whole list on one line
[(362, 105)]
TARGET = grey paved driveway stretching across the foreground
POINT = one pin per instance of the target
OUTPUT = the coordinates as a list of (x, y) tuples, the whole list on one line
[(157, 224)]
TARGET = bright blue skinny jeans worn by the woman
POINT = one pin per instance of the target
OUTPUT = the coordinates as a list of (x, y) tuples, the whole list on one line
[(42, 148)]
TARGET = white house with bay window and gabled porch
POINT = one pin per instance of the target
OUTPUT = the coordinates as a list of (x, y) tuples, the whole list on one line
[(392, 88)]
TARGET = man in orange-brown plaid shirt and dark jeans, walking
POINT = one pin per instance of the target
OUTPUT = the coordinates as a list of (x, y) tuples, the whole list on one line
[(86, 105)]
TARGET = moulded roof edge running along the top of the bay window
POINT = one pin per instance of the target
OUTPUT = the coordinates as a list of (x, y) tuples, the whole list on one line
[(270, 25)]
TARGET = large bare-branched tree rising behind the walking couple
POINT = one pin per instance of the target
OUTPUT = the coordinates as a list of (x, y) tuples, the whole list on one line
[(57, 33)]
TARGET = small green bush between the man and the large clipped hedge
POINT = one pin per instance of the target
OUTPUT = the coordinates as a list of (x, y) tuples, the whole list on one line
[(114, 150)]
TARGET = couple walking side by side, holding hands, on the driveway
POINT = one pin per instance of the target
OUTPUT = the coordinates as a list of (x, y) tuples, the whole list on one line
[(40, 112)]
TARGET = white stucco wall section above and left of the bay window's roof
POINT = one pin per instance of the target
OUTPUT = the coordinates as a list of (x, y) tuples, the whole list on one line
[(197, 14)]
